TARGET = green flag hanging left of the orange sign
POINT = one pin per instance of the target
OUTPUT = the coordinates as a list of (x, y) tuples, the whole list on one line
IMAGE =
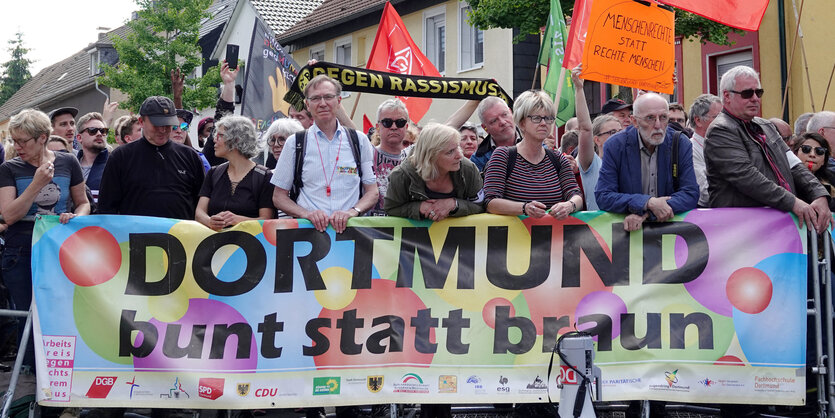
[(551, 54)]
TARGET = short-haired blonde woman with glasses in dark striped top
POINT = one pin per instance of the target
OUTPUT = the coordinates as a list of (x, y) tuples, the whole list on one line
[(527, 178)]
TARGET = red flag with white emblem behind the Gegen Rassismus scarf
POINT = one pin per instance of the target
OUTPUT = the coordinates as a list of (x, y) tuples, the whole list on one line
[(394, 51)]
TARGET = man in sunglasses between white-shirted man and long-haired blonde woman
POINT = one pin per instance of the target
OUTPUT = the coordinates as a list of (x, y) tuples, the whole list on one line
[(392, 124)]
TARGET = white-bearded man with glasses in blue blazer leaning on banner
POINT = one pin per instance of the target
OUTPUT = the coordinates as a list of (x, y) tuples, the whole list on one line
[(647, 170)]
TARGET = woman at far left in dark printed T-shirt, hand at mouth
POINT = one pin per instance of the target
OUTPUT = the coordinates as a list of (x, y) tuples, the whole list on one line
[(36, 182)]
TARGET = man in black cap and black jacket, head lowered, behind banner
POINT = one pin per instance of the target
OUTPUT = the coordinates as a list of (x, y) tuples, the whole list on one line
[(152, 176)]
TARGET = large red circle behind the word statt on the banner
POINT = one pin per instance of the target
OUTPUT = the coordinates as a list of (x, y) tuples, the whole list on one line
[(393, 309)]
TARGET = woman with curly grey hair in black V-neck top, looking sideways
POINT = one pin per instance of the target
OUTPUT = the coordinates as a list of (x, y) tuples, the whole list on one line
[(239, 189)]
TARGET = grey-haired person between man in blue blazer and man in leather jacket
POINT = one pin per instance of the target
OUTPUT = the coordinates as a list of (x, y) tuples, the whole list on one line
[(702, 112)]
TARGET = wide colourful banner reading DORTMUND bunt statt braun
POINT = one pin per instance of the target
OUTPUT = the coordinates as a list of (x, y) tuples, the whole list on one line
[(147, 312)]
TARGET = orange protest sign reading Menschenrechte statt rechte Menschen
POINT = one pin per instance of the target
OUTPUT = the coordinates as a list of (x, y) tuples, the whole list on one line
[(630, 43)]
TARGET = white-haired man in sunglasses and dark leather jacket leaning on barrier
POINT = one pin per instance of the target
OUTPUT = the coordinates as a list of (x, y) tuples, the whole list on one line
[(747, 161)]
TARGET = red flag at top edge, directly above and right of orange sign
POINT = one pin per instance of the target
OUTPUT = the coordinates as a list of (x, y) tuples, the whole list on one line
[(740, 14)]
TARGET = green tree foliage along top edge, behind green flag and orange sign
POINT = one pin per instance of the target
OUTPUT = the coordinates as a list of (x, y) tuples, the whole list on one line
[(531, 15)]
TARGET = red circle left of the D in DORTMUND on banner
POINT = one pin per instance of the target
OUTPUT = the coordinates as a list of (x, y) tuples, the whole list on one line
[(90, 256)]
